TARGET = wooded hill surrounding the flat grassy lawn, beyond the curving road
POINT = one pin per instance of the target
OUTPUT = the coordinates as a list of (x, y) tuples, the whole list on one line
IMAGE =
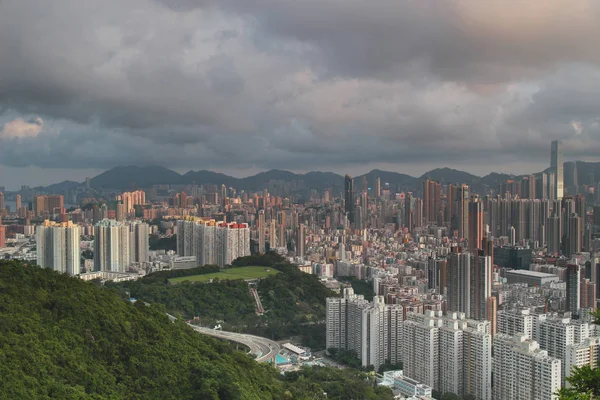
[(294, 301)]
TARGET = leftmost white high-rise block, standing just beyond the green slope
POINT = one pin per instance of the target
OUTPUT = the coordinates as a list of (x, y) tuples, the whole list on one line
[(58, 247)]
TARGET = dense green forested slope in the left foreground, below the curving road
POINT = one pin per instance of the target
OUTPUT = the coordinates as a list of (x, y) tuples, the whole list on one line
[(65, 338)]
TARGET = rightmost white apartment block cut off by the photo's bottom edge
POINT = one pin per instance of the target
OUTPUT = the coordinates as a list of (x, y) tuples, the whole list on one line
[(523, 371)]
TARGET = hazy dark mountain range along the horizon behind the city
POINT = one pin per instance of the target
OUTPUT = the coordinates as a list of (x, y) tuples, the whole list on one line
[(130, 177)]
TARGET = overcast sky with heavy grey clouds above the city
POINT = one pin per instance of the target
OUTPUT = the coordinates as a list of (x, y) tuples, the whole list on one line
[(242, 86)]
